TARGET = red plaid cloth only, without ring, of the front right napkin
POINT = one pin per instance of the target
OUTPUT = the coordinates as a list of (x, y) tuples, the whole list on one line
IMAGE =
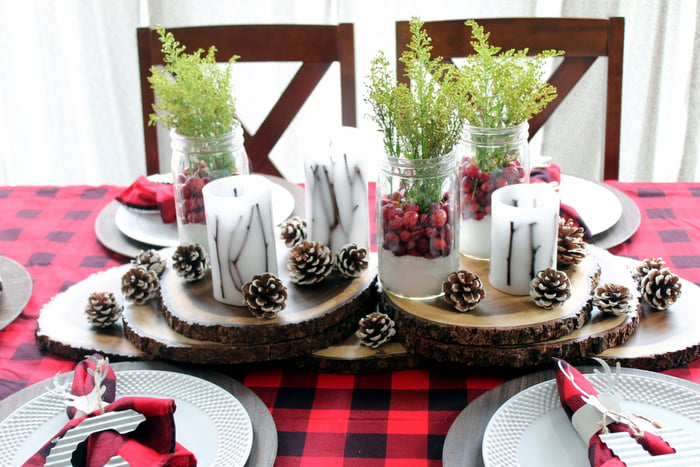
[(574, 392)]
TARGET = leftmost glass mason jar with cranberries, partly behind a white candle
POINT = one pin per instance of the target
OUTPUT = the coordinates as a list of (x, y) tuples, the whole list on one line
[(195, 162)]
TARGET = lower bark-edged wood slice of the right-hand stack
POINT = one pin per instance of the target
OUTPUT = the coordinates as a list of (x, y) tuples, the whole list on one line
[(600, 333)]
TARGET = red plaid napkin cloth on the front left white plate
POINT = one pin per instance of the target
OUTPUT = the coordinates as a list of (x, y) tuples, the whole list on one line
[(152, 443)]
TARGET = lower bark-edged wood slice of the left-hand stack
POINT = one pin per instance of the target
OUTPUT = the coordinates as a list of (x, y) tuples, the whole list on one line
[(146, 327)]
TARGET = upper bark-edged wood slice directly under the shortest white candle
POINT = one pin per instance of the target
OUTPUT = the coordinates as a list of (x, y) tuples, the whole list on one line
[(500, 318)]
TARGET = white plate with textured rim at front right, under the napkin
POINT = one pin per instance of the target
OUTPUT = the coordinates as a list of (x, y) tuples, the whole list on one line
[(531, 428)]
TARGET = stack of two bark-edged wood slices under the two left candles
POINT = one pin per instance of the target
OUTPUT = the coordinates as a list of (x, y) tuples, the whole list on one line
[(200, 328)]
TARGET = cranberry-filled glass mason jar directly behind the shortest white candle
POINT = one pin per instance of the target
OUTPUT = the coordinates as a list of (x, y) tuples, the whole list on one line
[(491, 158)]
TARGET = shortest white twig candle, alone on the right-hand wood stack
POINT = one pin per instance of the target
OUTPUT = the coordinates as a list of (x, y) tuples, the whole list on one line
[(524, 232)]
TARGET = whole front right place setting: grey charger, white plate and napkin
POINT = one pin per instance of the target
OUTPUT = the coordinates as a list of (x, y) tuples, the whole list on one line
[(534, 419)]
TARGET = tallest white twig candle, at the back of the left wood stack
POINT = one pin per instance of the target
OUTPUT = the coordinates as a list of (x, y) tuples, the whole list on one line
[(337, 209)]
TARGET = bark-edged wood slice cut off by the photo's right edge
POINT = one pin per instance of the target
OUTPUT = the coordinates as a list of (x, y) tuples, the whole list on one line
[(665, 339)]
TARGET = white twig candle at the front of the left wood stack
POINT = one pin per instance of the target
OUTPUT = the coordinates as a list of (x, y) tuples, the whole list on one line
[(240, 233)]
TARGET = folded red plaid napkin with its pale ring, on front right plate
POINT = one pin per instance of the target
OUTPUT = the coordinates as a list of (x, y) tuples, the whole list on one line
[(588, 413)]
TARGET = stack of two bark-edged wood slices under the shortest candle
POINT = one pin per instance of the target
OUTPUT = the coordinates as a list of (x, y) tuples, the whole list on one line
[(511, 331)]
